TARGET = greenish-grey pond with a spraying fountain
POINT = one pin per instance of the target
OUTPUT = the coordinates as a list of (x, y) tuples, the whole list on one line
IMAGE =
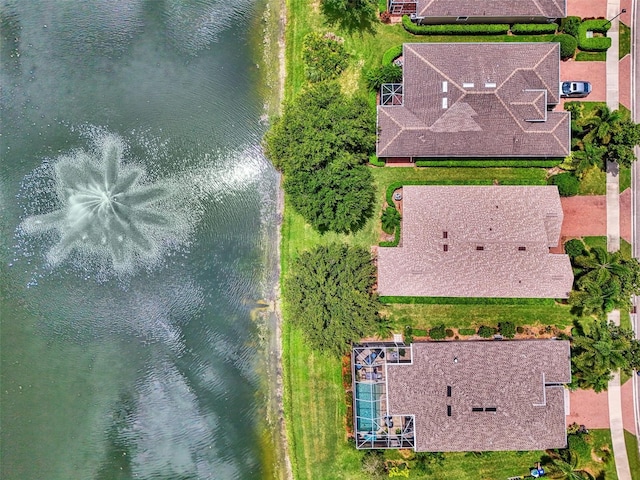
[(137, 234)]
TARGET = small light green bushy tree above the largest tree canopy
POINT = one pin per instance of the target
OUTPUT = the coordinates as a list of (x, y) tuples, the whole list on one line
[(324, 56)]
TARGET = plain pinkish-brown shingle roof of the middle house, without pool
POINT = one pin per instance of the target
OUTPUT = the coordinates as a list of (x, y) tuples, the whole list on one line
[(500, 220)]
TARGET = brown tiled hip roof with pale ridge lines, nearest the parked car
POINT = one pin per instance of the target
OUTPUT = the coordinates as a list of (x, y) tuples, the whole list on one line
[(496, 102)]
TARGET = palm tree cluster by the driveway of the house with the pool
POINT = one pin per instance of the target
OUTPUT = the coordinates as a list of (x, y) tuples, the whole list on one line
[(600, 350)]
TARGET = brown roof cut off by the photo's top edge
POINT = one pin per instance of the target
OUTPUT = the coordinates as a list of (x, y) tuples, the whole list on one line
[(492, 8)]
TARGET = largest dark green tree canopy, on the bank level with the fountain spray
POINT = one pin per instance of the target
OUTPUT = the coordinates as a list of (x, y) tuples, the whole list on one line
[(321, 143)]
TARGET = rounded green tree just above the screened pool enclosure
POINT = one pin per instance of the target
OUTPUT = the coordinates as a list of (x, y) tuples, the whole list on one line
[(330, 298)]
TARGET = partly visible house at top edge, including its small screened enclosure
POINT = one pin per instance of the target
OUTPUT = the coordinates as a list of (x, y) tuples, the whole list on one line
[(481, 11)]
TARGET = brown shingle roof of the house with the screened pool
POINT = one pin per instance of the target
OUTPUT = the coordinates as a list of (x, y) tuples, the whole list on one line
[(515, 377)]
